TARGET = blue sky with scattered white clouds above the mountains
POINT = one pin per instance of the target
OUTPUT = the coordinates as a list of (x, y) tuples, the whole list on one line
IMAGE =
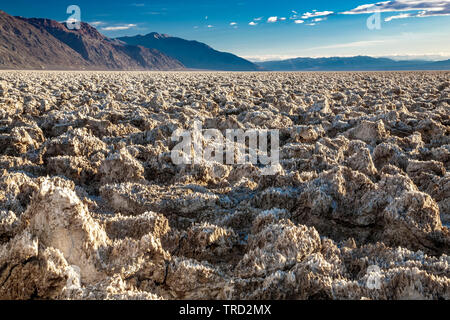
[(262, 30)]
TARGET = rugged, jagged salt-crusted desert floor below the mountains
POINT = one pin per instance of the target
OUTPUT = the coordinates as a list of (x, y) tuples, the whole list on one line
[(92, 206)]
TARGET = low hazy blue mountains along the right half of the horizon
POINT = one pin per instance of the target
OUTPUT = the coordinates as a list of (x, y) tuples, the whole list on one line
[(359, 63)]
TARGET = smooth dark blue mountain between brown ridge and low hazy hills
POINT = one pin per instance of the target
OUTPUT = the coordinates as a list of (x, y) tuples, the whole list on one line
[(193, 54)]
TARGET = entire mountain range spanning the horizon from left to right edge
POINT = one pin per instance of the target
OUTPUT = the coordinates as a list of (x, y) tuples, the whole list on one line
[(35, 43)]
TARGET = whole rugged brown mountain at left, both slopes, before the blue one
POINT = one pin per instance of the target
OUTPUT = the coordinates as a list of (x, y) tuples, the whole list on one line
[(47, 44)]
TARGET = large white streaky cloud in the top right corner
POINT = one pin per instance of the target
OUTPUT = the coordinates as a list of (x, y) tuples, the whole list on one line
[(422, 8)]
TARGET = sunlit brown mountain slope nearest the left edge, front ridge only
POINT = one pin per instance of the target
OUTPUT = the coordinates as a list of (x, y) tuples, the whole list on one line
[(25, 46)]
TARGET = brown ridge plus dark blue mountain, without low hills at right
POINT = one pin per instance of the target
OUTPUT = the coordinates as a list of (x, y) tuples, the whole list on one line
[(35, 43)]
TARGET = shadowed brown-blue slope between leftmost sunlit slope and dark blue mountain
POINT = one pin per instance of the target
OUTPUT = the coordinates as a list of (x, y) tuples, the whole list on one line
[(101, 51)]
